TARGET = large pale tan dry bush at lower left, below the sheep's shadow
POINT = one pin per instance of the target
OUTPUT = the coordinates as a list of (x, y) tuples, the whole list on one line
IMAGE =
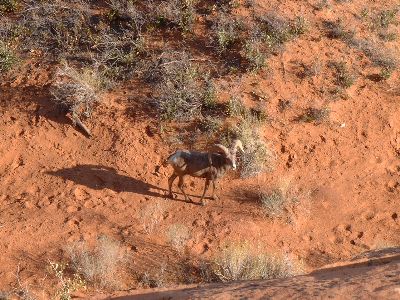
[(100, 265)]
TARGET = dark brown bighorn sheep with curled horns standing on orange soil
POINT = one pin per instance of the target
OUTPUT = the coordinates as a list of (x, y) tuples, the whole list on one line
[(210, 165)]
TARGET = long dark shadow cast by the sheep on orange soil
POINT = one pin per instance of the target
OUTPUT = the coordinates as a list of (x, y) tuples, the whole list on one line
[(99, 177)]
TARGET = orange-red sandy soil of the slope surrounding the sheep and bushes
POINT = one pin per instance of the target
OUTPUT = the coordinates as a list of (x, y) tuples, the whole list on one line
[(58, 186)]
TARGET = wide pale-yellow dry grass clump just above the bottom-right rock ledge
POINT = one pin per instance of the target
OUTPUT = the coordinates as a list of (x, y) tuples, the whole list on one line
[(242, 261)]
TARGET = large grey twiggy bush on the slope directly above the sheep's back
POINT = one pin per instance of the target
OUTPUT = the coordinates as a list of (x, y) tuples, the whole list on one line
[(182, 91)]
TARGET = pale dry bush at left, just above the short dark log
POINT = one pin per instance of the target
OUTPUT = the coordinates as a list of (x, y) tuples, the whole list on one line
[(76, 90)]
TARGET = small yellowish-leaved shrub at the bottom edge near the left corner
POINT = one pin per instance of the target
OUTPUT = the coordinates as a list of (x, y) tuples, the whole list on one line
[(66, 285)]
